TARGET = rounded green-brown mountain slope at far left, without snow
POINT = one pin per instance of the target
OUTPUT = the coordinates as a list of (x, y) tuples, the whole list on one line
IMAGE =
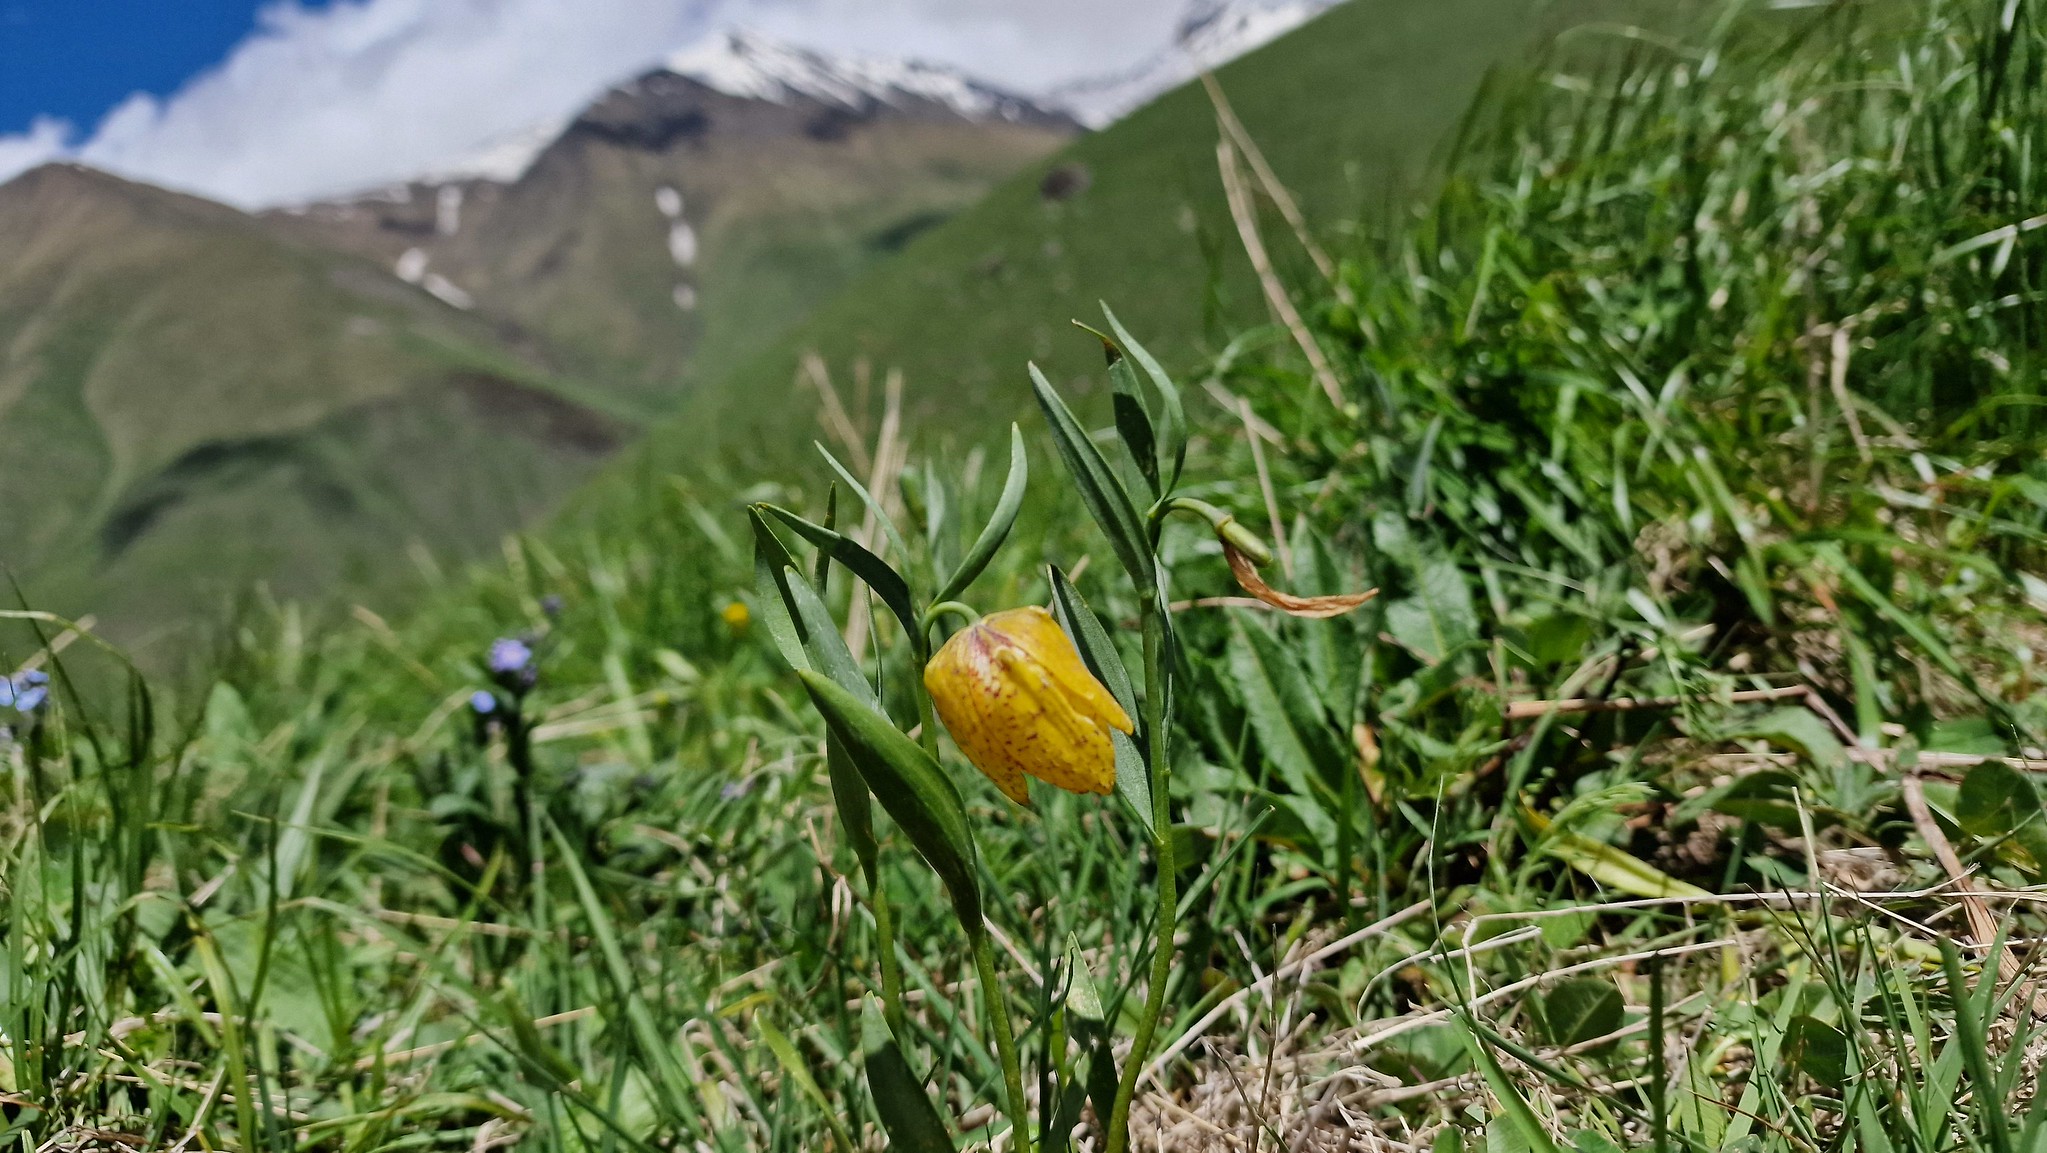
[(189, 402)]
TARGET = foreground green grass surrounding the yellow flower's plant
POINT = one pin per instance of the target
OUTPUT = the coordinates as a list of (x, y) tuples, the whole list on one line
[(1589, 445)]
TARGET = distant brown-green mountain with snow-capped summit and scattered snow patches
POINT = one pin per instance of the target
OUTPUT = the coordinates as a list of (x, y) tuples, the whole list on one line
[(691, 216)]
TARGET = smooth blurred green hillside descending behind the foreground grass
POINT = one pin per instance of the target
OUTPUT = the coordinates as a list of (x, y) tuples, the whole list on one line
[(1350, 110)]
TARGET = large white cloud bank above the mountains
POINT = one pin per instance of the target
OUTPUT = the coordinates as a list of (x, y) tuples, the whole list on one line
[(376, 91)]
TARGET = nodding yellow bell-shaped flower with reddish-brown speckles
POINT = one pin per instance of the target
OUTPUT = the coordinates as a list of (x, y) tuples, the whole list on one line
[(1016, 699)]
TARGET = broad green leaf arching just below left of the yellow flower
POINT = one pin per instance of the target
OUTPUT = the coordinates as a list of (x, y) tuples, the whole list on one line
[(910, 785)]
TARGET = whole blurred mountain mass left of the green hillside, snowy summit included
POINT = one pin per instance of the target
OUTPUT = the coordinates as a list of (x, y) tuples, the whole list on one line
[(193, 398)]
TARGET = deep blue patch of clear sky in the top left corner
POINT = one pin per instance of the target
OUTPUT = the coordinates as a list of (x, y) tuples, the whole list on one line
[(75, 60)]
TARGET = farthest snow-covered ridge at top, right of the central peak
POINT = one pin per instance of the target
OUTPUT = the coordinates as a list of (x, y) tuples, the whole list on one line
[(1211, 36)]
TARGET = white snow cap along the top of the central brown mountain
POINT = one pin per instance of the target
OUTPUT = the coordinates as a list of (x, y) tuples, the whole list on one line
[(758, 69)]
